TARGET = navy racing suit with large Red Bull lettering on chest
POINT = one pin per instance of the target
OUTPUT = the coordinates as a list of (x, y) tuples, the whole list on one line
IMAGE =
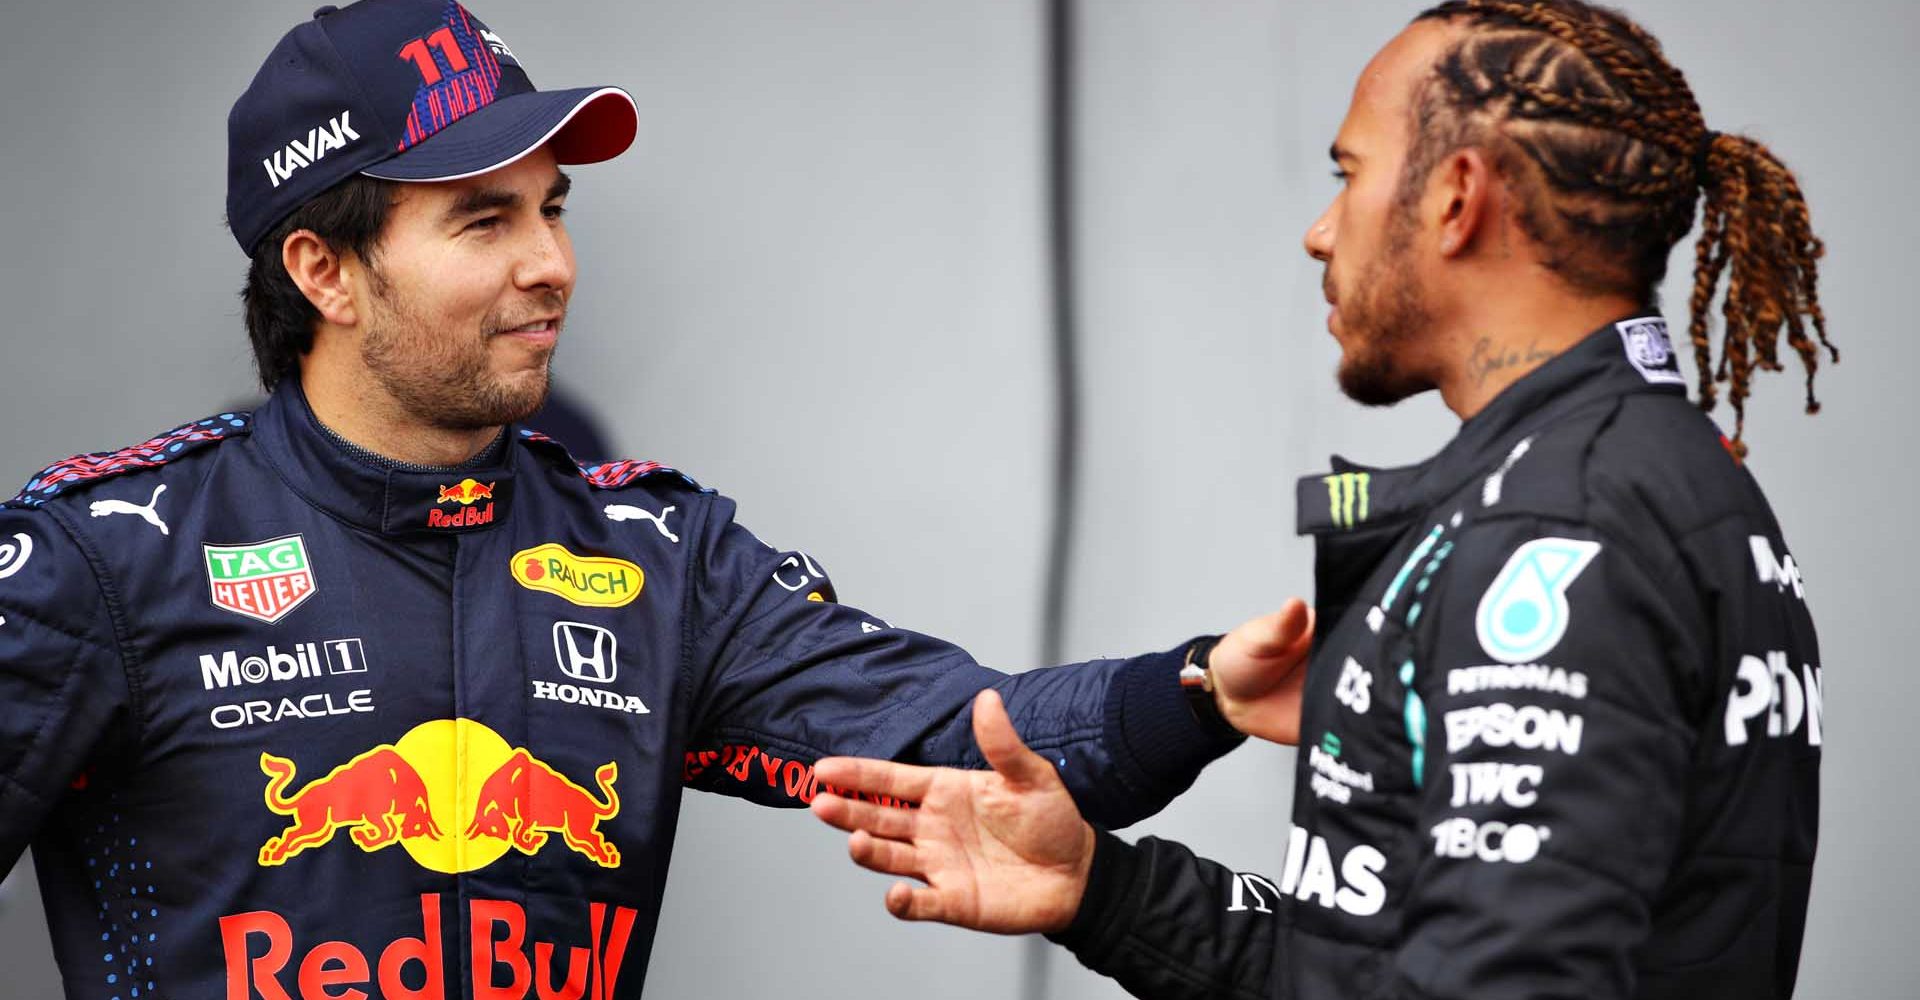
[(283, 721)]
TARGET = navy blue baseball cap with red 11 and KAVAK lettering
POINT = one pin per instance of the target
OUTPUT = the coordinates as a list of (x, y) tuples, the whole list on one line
[(406, 91)]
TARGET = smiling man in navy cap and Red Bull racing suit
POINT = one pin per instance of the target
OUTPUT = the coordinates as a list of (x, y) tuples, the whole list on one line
[(372, 692)]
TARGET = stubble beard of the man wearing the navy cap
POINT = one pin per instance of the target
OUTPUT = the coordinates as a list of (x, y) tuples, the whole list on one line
[(441, 377)]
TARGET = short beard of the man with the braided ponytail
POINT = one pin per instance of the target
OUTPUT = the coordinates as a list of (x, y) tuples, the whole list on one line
[(1383, 314)]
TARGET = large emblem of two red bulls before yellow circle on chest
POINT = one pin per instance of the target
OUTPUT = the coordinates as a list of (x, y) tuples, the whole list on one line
[(446, 769)]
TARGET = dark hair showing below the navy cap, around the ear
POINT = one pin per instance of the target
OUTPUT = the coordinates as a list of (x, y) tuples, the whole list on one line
[(279, 320)]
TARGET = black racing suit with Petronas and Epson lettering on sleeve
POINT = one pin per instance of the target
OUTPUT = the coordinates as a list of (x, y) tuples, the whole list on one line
[(1562, 726)]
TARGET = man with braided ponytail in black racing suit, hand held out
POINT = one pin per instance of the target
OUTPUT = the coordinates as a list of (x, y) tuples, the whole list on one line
[(1564, 717)]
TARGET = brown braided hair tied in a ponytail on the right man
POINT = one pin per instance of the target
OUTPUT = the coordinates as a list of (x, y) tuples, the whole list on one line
[(1581, 101)]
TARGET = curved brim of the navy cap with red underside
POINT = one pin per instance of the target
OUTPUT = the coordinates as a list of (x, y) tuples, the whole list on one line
[(583, 126)]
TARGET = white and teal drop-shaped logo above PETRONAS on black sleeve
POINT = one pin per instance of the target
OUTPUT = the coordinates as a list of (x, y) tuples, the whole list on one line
[(1524, 613)]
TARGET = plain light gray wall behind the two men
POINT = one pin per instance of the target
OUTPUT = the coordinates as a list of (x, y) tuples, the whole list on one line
[(819, 285)]
